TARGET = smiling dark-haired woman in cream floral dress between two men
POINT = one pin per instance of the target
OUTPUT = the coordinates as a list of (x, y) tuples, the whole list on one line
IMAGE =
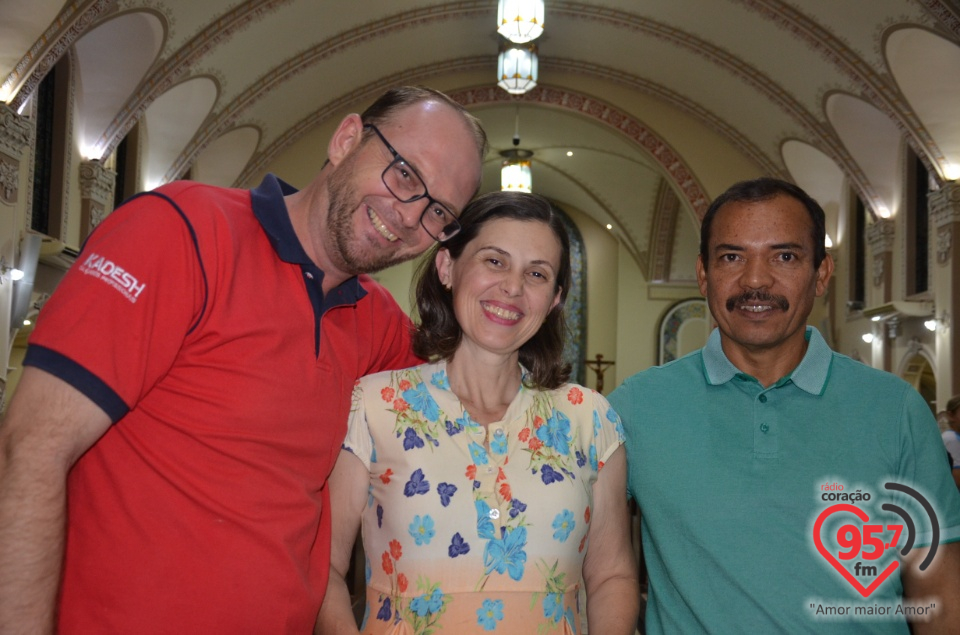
[(488, 488)]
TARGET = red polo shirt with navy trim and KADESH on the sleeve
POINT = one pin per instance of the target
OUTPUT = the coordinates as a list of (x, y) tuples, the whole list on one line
[(194, 318)]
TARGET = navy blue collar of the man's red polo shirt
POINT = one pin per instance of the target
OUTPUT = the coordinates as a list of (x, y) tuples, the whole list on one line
[(271, 210)]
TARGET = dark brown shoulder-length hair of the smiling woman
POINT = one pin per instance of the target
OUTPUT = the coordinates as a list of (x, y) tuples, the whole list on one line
[(438, 334)]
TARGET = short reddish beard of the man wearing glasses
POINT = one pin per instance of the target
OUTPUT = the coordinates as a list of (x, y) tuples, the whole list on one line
[(348, 254)]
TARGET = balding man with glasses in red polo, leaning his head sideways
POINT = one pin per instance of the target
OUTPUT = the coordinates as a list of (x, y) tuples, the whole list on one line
[(163, 463)]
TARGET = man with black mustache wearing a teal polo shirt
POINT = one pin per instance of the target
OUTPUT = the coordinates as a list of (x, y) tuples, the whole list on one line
[(784, 487)]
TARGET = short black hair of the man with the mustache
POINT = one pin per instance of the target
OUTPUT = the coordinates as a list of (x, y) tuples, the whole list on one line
[(763, 189)]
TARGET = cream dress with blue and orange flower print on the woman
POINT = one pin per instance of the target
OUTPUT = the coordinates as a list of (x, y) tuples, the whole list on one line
[(470, 529)]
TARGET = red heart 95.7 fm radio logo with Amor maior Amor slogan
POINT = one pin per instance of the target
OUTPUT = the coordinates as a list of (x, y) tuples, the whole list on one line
[(864, 542)]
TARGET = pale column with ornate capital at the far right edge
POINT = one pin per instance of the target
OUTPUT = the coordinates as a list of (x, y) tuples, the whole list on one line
[(945, 233)]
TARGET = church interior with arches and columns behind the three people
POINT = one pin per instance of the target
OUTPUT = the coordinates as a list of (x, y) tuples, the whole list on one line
[(630, 117)]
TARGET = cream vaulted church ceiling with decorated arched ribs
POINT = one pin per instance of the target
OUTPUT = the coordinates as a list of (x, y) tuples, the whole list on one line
[(687, 95)]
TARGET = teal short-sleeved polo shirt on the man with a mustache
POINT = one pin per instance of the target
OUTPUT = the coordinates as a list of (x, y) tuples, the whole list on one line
[(731, 478)]
